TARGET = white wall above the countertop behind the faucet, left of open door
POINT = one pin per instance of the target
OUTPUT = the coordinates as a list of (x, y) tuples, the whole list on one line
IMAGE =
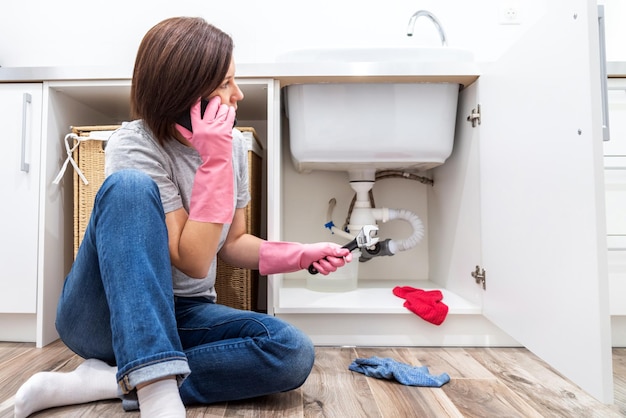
[(72, 32)]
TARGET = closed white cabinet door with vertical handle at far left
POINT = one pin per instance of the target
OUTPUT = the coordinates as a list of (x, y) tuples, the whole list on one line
[(20, 118)]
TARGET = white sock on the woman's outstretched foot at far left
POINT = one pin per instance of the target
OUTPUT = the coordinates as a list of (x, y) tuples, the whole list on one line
[(93, 380)]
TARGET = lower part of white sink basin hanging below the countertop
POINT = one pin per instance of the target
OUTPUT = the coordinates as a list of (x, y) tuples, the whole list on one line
[(352, 126)]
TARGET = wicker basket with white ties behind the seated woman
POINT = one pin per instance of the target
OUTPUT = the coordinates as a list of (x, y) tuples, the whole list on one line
[(236, 287)]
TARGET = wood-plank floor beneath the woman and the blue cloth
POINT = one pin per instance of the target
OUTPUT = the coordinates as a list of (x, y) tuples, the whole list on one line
[(485, 382)]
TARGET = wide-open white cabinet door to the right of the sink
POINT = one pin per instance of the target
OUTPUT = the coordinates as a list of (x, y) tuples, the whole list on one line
[(543, 221)]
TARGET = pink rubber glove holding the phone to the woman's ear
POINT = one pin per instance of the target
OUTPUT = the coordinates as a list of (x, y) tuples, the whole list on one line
[(212, 194)]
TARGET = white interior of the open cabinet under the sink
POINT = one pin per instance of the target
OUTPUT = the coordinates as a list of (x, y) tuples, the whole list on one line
[(445, 259)]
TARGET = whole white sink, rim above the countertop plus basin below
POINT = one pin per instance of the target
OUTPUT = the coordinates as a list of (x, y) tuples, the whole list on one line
[(376, 122)]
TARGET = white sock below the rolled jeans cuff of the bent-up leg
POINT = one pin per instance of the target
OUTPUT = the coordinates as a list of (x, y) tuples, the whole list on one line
[(161, 399)]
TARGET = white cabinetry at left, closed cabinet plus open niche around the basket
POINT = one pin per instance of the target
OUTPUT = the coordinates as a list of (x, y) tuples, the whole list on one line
[(37, 221)]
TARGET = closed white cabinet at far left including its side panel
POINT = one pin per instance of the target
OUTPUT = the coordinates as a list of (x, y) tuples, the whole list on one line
[(35, 254)]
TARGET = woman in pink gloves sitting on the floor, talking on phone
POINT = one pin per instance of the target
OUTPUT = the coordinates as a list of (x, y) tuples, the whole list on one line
[(139, 302)]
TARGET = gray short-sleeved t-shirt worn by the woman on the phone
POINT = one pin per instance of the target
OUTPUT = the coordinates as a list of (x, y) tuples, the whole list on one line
[(173, 167)]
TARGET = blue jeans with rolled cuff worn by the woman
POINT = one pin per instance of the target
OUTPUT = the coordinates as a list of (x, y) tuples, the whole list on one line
[(118, 306)]
